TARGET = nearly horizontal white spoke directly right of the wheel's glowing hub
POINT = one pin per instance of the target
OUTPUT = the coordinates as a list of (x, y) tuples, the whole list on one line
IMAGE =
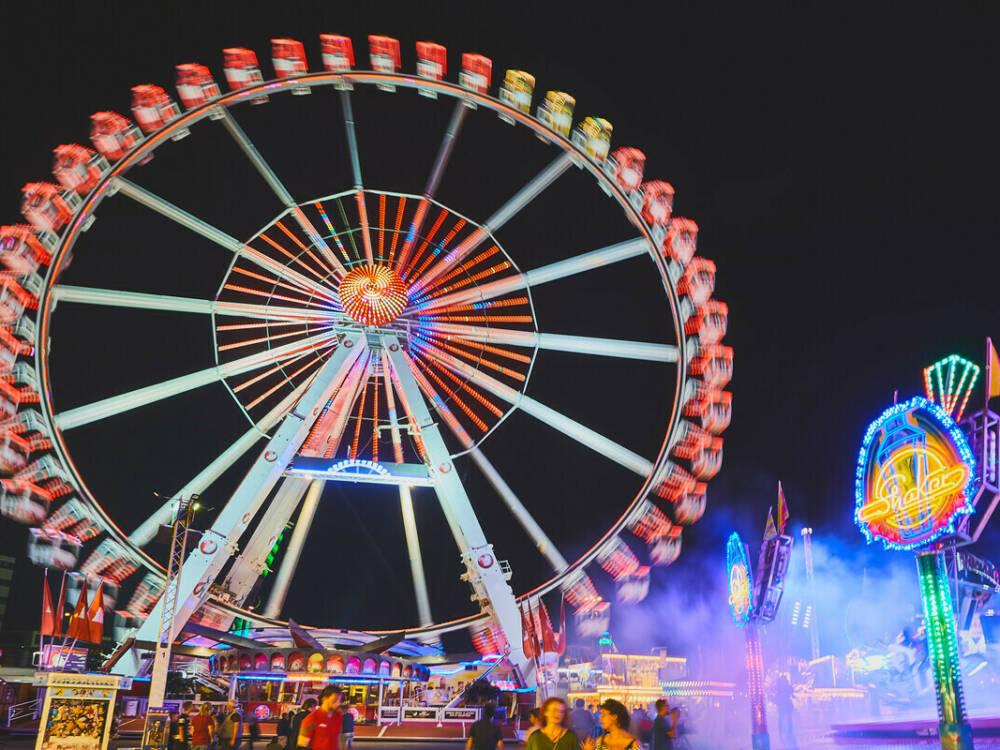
[(562, 343)]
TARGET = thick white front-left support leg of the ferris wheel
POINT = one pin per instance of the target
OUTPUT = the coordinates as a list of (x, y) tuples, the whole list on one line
[(207, 560)]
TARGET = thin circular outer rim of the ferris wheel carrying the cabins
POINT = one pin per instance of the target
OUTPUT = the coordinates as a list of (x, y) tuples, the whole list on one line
[(154, 140)]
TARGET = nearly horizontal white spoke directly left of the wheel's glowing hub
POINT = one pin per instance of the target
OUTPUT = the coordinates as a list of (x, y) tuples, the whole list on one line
[(143, 301)]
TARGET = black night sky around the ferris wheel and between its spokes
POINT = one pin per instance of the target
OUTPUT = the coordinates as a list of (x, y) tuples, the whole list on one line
[(841, 166)]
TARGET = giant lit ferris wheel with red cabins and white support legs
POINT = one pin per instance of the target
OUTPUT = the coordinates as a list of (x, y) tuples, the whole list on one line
[(368, 336)]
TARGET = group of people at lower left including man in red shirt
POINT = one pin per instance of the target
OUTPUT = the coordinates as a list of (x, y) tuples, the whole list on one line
[(322, 724)]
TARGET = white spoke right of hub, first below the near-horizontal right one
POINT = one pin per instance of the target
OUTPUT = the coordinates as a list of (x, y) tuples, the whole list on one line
[(558, 421)]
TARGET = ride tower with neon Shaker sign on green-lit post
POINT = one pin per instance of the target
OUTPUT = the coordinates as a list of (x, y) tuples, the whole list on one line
[(927, 483)]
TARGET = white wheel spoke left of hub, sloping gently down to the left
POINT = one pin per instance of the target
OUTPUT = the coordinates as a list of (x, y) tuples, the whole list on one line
[(108, 407)]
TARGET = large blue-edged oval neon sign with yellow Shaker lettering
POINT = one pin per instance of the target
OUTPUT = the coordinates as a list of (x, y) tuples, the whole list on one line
[(915, 476)]
